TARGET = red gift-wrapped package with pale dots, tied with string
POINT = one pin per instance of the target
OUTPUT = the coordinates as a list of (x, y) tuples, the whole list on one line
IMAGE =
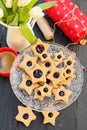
[(69, 18)]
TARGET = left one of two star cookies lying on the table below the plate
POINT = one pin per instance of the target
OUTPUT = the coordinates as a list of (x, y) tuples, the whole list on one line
[(25, 115)]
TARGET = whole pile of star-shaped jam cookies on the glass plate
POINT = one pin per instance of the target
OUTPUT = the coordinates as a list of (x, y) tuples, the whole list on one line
[(46, 75)]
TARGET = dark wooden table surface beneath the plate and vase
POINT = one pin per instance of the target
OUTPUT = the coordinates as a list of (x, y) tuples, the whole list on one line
[(72, 118)]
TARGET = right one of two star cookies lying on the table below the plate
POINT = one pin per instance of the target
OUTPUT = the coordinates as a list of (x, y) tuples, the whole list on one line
[(50, 117)]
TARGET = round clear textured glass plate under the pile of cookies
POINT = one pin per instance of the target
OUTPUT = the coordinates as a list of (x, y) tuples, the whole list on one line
[(47, 104)]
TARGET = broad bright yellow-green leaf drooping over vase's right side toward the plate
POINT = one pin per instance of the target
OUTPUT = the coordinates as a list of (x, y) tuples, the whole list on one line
[(27, 33)]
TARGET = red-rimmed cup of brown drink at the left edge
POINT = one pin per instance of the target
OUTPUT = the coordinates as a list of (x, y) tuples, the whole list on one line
[(7, 56)]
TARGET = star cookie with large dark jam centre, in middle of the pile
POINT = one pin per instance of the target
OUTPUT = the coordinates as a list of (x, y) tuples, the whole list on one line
[(38, 74)]
